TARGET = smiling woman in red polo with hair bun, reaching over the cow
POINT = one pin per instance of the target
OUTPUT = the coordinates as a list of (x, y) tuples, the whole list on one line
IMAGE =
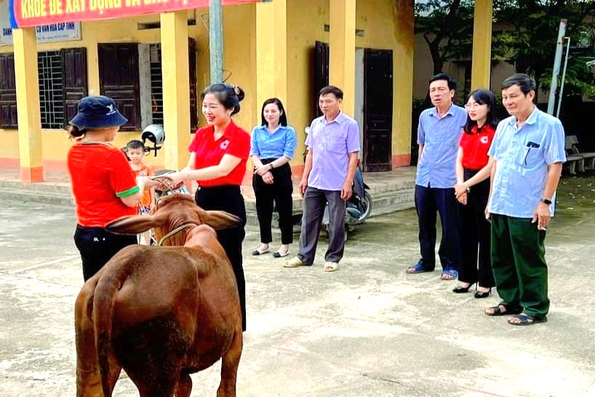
[(218, 156)]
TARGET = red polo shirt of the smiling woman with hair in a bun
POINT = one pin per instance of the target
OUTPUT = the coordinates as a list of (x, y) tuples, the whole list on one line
[(209, 152)]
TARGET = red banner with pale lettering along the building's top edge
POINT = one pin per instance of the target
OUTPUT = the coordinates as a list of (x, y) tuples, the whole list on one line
[(26, 13)]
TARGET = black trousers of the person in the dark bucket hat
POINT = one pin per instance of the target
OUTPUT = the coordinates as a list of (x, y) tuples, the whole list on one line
[(97, 246)]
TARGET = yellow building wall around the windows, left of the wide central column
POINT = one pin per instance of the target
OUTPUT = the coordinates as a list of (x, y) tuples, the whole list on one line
[(238, 20)]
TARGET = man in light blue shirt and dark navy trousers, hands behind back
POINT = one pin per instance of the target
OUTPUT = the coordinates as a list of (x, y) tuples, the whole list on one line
[(438, 136)]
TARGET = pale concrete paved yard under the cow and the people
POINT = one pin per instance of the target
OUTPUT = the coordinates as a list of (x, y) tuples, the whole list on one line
[(367, 330)]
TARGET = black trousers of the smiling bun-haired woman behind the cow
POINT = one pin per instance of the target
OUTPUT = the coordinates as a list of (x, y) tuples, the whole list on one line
[(229, 198)]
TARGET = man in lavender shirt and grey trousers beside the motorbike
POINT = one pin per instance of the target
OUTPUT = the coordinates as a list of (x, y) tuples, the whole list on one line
[(333, 147)]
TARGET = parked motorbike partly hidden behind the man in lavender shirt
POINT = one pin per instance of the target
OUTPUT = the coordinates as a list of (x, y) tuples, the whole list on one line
[(358, 207)]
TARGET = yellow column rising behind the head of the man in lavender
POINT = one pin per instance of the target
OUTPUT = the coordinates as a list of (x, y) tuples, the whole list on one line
[(342, 47)]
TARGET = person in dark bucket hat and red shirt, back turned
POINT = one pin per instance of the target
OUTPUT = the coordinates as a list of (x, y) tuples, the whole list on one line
[(103, 184)]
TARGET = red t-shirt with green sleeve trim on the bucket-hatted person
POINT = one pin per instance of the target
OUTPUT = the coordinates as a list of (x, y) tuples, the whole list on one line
[(100, 175)]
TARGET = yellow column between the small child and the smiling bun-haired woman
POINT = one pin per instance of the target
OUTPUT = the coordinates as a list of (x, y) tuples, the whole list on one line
[(176, 88)]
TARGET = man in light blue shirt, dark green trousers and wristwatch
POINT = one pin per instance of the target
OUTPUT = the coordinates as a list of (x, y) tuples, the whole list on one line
[(528, 150)]
